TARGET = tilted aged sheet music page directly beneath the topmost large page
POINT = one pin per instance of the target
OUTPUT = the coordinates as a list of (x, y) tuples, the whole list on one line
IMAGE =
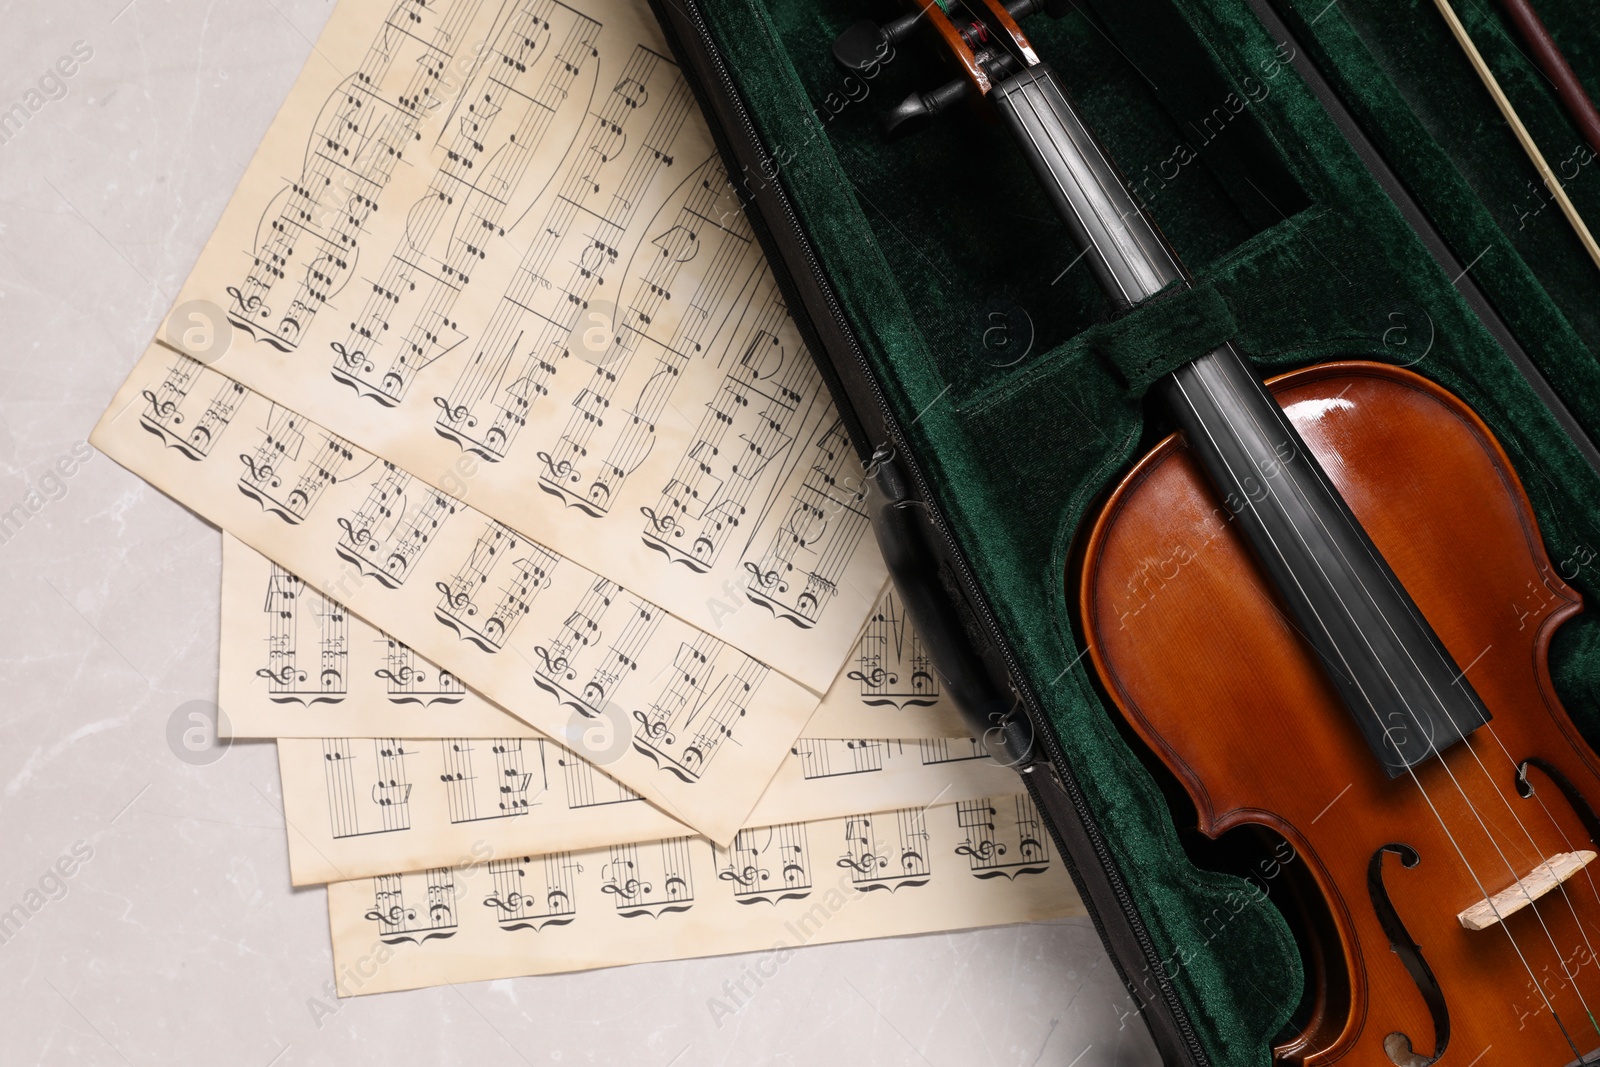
[(698, 727)]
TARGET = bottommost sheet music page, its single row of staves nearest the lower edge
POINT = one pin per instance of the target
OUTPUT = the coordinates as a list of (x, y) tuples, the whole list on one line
[(983, 863)]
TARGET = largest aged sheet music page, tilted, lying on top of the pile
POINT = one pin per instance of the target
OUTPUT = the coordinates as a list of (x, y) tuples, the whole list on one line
[(492, 242)]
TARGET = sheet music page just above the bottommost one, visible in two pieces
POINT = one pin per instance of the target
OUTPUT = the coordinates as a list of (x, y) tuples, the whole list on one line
[(361, 807)]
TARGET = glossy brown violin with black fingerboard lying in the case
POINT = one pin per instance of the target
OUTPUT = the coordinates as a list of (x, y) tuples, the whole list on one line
[(1327, 653)]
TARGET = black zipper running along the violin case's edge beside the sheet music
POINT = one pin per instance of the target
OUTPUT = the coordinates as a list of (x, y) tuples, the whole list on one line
[(1055, 762)]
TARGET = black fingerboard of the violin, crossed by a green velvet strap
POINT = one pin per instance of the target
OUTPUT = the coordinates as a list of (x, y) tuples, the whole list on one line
[(1407, 695)]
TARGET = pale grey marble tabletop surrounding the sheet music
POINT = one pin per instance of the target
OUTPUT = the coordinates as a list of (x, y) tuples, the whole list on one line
[(161, 924)]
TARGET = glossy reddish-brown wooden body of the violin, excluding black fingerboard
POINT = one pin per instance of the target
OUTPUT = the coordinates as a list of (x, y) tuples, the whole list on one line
[(1198, 652)]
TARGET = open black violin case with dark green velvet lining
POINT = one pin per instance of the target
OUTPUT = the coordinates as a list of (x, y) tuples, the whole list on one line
[(1342, 186)]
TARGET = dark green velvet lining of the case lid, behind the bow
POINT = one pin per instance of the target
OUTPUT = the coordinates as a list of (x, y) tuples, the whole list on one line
[(1412, 87)]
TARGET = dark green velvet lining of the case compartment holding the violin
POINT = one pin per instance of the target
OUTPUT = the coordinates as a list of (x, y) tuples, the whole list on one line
[(1302, 260)]
